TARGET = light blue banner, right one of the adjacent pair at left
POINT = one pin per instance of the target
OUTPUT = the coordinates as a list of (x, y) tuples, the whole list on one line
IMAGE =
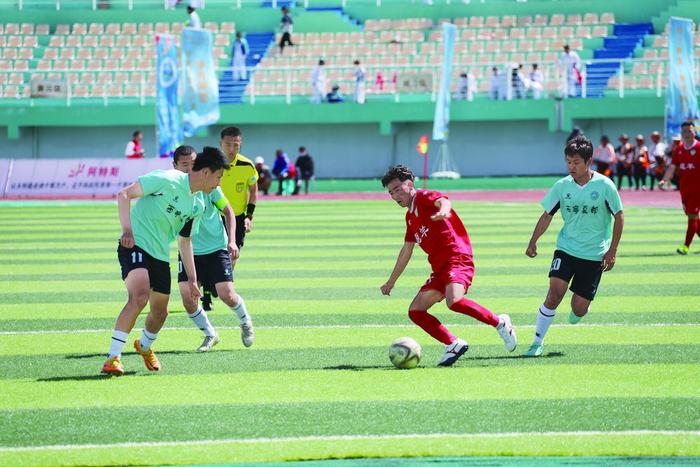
[(200, 100)]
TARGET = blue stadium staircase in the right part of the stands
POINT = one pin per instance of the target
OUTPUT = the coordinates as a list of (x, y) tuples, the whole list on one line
[(622, 44)]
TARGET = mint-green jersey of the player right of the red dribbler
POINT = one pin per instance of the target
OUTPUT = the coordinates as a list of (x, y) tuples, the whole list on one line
[(587, 212)]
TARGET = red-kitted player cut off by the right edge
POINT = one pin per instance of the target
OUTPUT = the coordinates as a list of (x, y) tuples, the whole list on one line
[(686, 159)]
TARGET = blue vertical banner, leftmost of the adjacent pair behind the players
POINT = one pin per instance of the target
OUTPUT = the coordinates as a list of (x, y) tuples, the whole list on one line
[(167, 102)]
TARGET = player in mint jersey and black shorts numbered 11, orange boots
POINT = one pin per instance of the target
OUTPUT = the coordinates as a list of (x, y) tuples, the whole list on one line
[(169, 204)]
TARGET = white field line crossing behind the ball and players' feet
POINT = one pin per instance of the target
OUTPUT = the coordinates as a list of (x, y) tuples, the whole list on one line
[(351, 326)]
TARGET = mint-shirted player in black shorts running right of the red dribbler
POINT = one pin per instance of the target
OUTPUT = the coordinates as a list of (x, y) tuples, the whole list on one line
[(586, 245)]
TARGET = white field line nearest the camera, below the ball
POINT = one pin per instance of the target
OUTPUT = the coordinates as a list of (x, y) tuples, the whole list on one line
[(206, 442)]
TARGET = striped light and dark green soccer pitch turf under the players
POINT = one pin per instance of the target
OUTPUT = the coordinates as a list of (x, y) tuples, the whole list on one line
[(317, 384)]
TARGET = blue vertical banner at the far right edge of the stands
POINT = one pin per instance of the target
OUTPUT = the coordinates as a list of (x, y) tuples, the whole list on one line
[(681, 98)]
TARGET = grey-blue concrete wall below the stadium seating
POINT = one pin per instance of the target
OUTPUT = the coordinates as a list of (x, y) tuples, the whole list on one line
[(352, 150)]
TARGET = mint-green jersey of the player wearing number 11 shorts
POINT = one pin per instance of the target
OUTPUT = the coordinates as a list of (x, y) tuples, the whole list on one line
[(166, 206)]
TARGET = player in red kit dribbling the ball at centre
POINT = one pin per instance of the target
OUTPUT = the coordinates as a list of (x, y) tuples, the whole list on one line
[(437, 229)]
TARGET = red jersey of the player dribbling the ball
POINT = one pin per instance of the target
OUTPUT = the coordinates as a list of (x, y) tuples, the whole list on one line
[(441, 240)]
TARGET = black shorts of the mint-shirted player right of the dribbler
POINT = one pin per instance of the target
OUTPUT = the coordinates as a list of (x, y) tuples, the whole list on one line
[(586, 273)]
